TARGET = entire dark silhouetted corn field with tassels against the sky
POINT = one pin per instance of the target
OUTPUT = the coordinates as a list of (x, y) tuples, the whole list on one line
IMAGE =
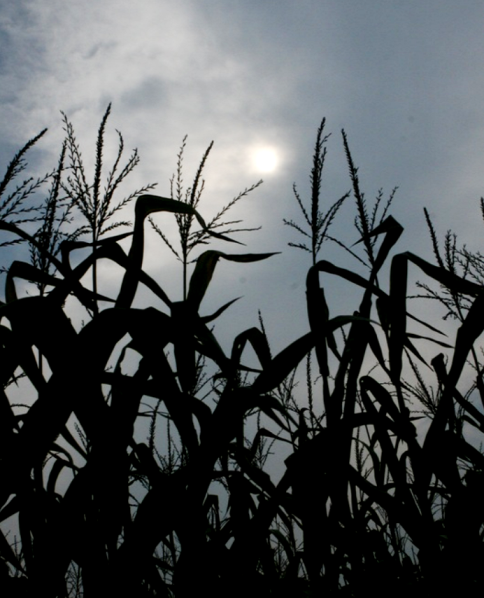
[(383, 485)]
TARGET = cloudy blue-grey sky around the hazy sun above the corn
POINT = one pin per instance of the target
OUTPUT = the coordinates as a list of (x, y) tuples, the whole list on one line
[(404, 79)]
